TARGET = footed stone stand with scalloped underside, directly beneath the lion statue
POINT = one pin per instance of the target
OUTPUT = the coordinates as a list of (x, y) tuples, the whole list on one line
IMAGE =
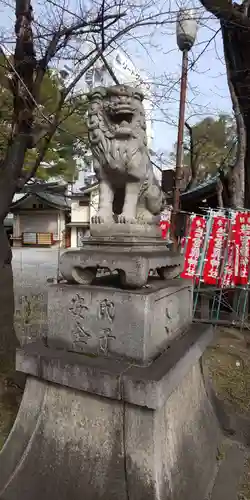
[(132, 259)]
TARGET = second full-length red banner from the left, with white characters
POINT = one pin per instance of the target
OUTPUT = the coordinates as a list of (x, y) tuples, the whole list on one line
[(215, 250)]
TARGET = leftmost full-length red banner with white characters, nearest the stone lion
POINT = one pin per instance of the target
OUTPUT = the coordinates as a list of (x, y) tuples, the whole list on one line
[(194, 246)]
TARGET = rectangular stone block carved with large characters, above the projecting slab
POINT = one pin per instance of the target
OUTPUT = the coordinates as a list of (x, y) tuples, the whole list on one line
[(135, 324)]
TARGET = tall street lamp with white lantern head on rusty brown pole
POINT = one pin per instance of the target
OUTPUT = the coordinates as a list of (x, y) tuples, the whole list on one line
[(186, 30)]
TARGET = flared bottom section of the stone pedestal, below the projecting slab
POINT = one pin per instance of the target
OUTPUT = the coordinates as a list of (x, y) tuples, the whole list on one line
[(67, 443)]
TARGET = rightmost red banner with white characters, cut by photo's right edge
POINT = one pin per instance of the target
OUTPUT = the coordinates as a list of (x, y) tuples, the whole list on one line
[(242, 248)]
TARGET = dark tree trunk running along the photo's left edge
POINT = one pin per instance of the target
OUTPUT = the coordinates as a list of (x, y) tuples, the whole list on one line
[(11, 167)]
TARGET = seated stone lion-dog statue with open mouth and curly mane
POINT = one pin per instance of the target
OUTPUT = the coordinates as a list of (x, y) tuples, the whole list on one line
[(117, 136)]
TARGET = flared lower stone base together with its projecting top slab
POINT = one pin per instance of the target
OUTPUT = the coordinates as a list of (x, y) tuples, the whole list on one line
[(155, 437)]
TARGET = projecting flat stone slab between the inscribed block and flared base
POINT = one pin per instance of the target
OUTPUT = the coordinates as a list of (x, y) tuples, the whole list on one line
[(147, 386)]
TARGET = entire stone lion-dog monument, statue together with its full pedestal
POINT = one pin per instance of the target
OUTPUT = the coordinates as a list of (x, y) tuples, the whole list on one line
[(115, 406)]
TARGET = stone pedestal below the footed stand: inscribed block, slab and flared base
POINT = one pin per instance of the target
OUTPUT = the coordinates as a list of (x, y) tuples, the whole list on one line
[(120, 413)]
